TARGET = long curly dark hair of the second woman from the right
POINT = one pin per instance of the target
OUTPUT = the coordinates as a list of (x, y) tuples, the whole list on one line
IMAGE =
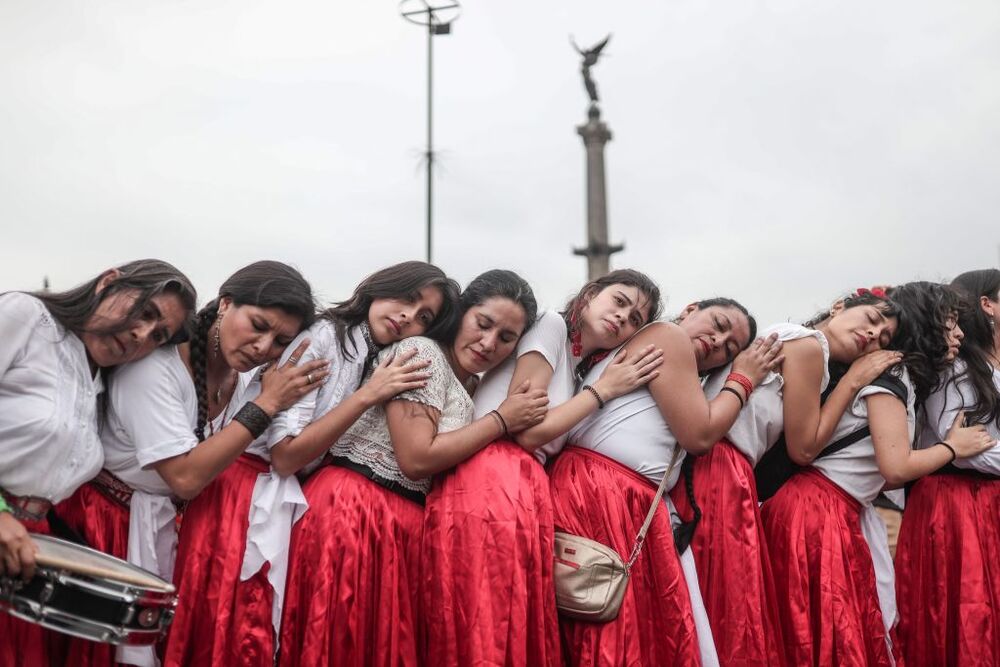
[(924, 307)]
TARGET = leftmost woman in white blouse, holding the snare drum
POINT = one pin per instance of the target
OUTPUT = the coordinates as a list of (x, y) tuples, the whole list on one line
[(57, 349)]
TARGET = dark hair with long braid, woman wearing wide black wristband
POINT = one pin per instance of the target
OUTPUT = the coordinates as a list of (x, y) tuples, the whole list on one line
[(265, 284)]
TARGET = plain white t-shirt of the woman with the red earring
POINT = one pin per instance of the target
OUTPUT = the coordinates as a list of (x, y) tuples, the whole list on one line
[(549, 338)]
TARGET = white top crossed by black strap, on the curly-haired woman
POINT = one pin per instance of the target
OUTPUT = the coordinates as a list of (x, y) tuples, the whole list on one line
[(854, 467)]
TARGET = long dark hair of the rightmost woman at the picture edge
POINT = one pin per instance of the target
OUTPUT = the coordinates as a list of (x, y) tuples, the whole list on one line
[(977, 347)]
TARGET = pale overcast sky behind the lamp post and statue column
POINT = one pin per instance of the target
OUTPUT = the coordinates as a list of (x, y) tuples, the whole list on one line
[(778, 152)]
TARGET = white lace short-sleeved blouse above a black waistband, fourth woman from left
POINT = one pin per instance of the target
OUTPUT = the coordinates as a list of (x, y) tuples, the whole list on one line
[(368, 441)]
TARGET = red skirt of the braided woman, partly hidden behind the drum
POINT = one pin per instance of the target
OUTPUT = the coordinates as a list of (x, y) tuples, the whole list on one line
[(103, 523)]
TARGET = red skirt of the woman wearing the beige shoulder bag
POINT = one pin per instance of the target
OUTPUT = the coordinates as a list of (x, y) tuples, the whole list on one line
[(596, 497)]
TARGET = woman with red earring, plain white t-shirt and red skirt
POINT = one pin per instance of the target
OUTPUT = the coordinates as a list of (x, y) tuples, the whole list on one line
[(488, 535)]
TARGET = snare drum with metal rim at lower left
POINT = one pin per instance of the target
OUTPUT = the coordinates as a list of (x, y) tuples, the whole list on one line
[(88, 594)]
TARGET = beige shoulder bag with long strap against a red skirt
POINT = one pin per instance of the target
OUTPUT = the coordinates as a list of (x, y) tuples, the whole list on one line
[(591, 577)]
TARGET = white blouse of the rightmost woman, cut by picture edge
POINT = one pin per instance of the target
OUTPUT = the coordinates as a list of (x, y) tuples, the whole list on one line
[(941, 408)]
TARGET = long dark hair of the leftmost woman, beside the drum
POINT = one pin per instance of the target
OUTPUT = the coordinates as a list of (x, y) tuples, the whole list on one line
[(146, 277)]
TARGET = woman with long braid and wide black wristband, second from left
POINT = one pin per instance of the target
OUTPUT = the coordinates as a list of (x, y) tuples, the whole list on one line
[(177, 419)]
